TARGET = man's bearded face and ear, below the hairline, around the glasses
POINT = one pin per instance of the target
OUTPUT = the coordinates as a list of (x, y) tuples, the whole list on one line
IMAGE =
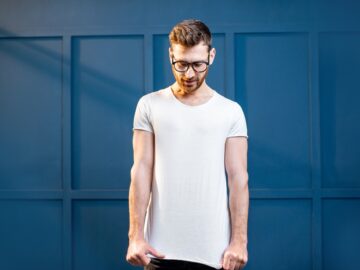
[(190, 80)]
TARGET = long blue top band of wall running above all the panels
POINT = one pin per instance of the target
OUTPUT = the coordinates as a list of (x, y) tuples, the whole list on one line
[(94, 13)]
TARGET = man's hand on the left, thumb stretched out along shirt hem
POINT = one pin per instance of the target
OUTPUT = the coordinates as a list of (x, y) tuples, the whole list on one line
[(137, 250)]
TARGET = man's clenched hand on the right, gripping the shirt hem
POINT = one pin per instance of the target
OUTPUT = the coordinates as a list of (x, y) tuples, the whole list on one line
[(235, 257)]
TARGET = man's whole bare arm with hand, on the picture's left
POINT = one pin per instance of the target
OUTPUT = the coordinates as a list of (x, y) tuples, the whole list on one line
[(139, 196)]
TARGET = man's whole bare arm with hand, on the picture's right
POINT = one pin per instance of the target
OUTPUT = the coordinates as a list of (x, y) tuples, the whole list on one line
[(236, 255)]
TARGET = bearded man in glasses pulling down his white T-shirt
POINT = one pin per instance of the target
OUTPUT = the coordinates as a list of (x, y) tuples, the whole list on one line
[(184, 138)]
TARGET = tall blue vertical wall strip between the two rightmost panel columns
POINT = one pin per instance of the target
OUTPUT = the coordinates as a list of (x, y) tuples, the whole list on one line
[(314, 100)]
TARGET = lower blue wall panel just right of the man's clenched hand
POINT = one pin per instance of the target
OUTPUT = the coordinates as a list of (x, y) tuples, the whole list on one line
[(280, 234)]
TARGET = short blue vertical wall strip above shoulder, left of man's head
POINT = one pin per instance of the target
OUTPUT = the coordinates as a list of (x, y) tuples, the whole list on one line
[(148, 63)]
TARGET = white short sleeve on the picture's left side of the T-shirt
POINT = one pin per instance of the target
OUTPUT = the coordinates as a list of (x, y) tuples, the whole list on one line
[(142, 117)]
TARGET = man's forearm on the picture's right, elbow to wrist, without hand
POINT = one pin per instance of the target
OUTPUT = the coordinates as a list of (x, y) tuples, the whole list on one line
[(239, 208)]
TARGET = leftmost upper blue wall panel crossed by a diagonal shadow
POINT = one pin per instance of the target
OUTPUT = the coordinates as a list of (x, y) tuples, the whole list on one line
[(30, 113)]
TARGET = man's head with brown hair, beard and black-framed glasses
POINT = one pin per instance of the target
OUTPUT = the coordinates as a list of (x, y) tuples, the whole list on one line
[(190, 54)]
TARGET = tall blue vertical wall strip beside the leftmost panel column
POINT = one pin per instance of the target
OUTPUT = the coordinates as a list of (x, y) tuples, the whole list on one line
[(66, 151)]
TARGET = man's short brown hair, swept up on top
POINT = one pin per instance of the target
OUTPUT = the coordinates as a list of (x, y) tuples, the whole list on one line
[(190, 33)]
